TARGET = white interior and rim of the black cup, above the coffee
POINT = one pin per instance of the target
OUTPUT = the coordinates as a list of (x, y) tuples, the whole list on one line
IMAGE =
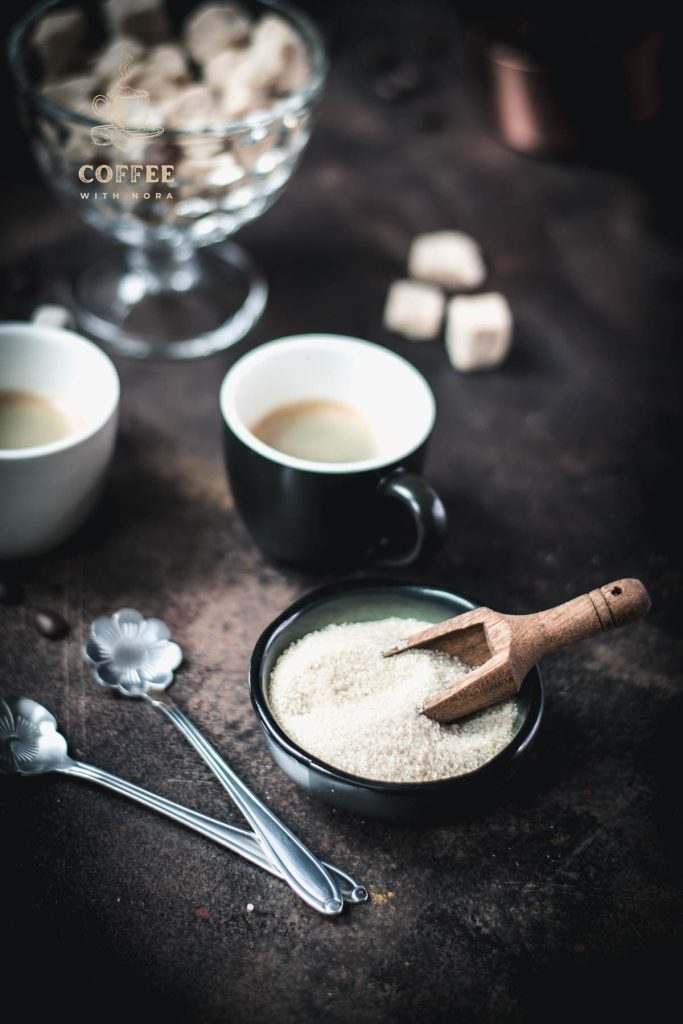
[(394, 397)]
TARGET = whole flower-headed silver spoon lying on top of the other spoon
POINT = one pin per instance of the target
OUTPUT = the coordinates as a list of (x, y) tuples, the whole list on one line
[(136, 657)]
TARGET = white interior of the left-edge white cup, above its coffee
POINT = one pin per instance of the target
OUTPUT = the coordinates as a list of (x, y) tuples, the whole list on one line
[(67, 369)]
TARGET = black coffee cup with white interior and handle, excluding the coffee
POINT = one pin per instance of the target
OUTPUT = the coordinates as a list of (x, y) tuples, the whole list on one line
[(320, 515)]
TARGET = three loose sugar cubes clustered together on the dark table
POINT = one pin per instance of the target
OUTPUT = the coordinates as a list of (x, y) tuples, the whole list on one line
[(479, 328)]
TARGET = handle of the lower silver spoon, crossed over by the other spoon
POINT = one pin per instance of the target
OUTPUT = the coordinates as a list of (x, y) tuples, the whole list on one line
[(237, 840)]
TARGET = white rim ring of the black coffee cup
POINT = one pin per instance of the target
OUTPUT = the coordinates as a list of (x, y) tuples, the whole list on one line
[(336, 344)]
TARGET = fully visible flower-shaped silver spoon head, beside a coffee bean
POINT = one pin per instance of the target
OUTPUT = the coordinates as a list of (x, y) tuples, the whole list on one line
[(131, 654)]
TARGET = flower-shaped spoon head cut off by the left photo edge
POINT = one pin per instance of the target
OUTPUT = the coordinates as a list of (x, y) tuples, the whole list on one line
[(30, 744)]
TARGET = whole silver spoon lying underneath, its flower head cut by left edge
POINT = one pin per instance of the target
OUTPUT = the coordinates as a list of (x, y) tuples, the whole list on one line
[(31, 745)]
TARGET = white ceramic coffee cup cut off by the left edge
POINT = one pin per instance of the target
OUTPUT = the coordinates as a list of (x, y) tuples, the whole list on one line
[(48, 491)]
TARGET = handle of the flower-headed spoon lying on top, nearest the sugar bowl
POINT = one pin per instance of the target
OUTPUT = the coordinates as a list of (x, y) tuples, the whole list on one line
[(301, 869)]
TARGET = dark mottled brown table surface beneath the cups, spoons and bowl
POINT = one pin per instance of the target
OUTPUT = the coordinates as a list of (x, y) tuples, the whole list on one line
[(563, 899)]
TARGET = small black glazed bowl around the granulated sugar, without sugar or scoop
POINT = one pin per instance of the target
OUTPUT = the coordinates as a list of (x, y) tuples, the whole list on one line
[(371, 602)]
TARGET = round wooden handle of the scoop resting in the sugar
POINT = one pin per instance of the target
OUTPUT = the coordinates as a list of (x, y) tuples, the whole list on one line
[(610, 608)]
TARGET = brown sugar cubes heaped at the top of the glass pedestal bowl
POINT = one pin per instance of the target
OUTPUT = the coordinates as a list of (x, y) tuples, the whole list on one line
[(225, 65)]
